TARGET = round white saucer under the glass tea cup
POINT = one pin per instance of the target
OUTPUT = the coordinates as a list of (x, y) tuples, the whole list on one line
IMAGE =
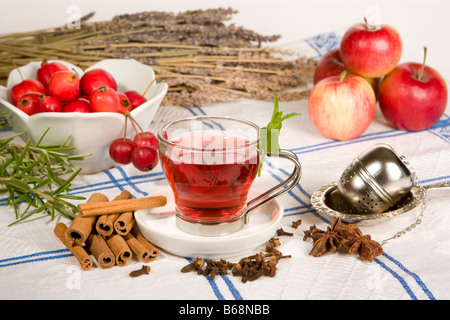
[(158, 225)]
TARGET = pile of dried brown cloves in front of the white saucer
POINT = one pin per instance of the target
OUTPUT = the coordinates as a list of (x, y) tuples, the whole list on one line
[(249, 268)]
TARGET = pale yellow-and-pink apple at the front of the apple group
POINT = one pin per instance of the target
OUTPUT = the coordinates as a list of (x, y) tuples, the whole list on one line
[(342, 108)]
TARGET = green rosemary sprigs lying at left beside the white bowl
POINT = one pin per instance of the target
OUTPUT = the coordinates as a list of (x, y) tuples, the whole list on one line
[(38, 177)]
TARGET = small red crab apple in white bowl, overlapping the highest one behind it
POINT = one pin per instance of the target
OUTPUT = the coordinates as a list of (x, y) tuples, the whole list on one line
[(64, 86)]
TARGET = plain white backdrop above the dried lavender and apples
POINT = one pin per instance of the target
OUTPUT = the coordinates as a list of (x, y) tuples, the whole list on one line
[(420, 23)]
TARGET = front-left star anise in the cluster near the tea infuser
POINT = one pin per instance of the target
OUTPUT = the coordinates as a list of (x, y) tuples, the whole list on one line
[(327, 241)]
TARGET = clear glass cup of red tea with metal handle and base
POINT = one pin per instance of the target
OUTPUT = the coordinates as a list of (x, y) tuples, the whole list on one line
[(211, 163)]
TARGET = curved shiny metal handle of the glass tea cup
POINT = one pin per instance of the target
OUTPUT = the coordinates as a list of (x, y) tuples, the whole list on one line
[(279, 189)]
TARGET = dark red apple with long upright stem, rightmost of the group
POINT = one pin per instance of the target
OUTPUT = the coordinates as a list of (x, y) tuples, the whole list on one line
[(413, 96)]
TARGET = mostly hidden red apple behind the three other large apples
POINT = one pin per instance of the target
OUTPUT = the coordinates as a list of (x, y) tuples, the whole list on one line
[(331, 65)]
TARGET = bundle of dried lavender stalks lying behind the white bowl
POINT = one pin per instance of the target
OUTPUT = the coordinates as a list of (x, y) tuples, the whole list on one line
[(196, 53)]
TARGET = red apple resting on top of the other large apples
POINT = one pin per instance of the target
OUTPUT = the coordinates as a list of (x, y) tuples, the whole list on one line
[(370, 51)]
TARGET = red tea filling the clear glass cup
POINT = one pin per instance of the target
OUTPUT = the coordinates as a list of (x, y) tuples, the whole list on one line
[(211, 178)]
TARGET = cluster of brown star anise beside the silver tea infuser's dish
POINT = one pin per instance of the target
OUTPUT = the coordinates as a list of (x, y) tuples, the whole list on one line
[(346, 236)]
